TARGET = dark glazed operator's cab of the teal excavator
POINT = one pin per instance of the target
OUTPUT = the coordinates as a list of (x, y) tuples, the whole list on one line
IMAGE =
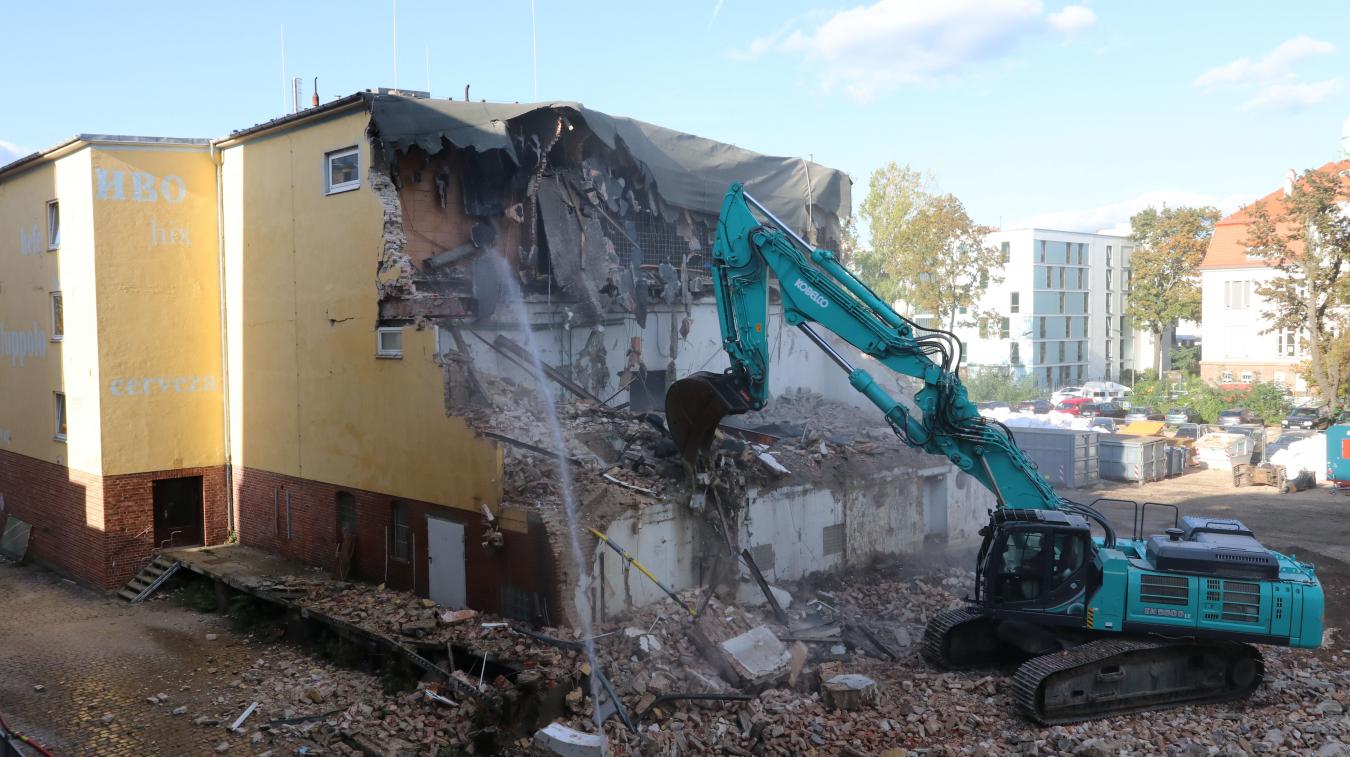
[(1037, 565)]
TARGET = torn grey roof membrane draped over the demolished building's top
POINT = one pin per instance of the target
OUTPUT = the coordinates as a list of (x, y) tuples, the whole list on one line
[(689, 172)]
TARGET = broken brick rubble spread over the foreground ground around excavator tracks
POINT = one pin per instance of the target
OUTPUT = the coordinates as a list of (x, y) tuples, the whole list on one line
[(843, 678)]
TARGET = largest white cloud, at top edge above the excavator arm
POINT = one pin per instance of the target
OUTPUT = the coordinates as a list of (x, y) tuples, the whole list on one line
[(867, 49)]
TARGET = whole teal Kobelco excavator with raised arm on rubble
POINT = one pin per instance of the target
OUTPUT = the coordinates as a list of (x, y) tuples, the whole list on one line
[(1098, 623)]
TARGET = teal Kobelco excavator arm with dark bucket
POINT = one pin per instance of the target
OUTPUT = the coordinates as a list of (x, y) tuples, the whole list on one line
[(816, 289)]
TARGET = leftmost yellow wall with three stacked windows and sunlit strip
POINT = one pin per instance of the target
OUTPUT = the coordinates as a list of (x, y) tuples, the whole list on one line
[(33, 366)]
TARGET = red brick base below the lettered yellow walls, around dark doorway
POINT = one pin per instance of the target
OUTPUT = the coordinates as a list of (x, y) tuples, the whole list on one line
[(98, 530)]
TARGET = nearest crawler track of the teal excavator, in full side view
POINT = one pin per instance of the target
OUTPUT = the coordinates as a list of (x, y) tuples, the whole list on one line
[(1108, 678)]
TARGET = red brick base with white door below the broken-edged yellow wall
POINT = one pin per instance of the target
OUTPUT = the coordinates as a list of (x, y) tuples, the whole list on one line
[(524, 562)]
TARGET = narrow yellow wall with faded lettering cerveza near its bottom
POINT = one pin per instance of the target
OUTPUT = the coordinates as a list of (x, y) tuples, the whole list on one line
[(157, 261)]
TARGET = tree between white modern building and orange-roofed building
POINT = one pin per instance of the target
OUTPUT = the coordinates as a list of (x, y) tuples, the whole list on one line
[(1166, 283)]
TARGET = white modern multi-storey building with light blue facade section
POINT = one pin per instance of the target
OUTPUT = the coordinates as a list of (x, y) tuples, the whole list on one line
[(1059, 311)]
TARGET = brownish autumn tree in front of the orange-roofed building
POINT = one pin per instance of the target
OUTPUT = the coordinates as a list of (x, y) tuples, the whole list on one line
[(1306, 237)]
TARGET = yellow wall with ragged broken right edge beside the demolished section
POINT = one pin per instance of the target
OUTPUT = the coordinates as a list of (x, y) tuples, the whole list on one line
[(308, 396)]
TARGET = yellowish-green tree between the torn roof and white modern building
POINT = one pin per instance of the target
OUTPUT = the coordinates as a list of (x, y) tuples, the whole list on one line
[(925, 250)]
